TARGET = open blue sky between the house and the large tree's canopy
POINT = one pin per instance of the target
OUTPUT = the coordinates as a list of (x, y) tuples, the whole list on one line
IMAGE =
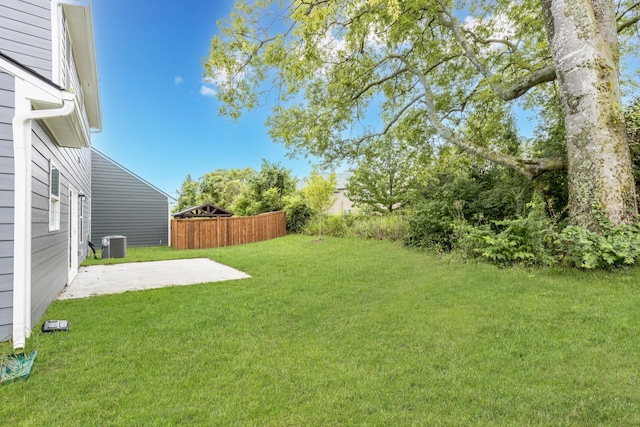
[(156, 120)]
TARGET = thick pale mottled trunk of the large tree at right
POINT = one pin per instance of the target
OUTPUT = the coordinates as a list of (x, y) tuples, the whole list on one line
[(584, 46)]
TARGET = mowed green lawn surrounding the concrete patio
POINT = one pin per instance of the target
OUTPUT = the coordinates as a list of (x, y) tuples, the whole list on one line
[(342, 332)]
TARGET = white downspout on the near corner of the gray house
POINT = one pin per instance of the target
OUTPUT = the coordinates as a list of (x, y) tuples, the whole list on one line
[(22, 211)]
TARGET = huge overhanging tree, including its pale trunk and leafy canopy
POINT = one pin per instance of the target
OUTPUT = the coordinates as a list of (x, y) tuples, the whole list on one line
[(423, 67)]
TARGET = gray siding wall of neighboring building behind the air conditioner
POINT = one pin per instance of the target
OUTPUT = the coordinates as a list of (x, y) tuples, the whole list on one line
[(124, 204)]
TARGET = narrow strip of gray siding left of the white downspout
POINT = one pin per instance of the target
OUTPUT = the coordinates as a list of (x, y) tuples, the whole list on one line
[(7, 100)]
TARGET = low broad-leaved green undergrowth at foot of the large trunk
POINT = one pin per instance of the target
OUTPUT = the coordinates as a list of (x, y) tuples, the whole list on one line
[(533, 239)]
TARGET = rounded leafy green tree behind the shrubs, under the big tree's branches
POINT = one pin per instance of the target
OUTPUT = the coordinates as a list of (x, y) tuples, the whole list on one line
[(387, 177)]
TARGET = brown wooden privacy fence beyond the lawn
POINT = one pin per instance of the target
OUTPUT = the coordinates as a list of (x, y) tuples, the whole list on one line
[(217, 232)]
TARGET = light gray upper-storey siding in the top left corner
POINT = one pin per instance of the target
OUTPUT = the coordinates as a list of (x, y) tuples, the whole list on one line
[(25, 33)]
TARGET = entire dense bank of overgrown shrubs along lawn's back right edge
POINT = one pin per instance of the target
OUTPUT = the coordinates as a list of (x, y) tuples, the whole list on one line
[(477, 216)]
